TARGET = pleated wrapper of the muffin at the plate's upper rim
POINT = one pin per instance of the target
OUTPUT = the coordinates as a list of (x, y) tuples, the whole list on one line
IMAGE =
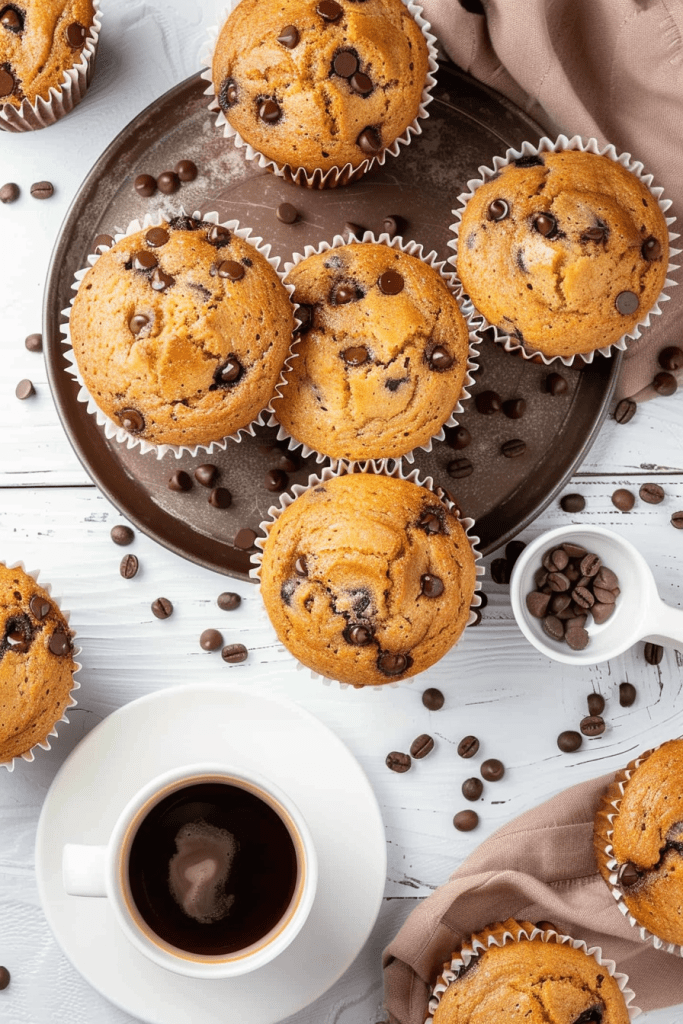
[(335, 176)]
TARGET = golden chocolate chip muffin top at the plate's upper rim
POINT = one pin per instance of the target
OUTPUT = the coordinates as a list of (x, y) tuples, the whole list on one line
[(320, 83)]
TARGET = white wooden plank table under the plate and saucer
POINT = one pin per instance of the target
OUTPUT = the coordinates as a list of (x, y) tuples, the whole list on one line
[(497, 687)]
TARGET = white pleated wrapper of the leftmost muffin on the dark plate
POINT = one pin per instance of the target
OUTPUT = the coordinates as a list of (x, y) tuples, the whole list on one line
[(115, 431)]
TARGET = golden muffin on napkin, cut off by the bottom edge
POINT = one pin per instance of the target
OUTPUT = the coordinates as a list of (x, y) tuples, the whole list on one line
[(531, 983)]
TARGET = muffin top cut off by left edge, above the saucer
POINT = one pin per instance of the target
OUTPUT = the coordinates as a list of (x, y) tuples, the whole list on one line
[(36, 663)]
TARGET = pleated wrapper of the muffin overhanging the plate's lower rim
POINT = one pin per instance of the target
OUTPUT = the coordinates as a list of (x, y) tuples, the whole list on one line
[(378, 467)]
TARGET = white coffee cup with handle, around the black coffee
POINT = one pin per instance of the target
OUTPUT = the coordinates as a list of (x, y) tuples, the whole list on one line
[(103, 872)]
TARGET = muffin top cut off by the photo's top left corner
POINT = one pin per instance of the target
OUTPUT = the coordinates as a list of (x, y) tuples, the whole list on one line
[(39, 41)]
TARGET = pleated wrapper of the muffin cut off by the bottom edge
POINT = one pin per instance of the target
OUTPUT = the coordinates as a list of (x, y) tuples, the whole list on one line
[(498, 935)]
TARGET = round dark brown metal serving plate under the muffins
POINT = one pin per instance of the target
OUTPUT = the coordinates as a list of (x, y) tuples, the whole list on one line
[(468, 125)]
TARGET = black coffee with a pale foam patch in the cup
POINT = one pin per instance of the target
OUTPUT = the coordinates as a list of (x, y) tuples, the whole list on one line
[(212, 869)]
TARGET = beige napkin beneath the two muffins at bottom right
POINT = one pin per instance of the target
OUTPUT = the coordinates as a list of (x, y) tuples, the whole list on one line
[(539, 868)]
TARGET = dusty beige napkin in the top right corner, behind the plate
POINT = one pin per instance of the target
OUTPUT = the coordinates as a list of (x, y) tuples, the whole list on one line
[(610, 69)]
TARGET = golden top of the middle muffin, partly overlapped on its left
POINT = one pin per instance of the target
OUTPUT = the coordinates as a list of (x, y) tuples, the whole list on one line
[(382, 354)]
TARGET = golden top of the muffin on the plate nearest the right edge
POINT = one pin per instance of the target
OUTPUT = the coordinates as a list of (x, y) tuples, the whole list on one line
[(566, 251)]
